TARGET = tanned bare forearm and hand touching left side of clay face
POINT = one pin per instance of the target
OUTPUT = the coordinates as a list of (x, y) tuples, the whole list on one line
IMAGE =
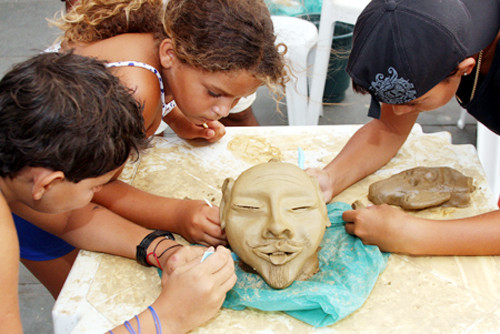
[(193, 219)]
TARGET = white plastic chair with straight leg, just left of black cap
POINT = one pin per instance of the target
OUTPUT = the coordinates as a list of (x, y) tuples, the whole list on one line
[(331, 11)]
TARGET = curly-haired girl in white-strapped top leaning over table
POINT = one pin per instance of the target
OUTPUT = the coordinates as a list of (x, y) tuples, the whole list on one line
[(210, 56)]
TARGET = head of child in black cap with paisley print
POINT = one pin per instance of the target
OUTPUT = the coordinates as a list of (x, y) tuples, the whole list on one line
[(404, 49)]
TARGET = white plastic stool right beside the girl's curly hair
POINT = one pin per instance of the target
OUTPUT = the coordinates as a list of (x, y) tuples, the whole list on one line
[(300, 37)]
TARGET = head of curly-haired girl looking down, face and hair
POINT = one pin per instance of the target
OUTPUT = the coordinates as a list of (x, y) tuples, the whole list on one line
[(216, 52)]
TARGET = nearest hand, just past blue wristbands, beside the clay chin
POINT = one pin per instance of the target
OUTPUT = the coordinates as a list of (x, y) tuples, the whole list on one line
[(193, 292)]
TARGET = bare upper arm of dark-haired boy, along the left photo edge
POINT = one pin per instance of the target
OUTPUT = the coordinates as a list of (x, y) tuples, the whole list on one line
[(10, 319)]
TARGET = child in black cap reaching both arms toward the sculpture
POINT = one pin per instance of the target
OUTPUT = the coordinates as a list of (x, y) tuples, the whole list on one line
[(442, 49)]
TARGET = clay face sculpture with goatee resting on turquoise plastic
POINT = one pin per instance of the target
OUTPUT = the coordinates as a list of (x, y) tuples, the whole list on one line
[(274, 217)]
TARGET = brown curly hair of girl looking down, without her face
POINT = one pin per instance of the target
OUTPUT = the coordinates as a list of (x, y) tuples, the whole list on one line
[(225, 35)]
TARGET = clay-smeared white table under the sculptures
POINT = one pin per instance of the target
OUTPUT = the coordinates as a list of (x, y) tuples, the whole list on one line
[(414, 294)]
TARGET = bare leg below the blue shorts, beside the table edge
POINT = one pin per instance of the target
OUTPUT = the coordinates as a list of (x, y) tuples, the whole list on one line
[(52, 273)]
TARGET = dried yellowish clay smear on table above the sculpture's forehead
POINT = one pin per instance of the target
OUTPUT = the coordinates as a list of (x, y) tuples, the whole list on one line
[(253, 149)]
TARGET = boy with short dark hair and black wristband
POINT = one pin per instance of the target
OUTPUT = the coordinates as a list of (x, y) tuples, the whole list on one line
[(66, 127)]
